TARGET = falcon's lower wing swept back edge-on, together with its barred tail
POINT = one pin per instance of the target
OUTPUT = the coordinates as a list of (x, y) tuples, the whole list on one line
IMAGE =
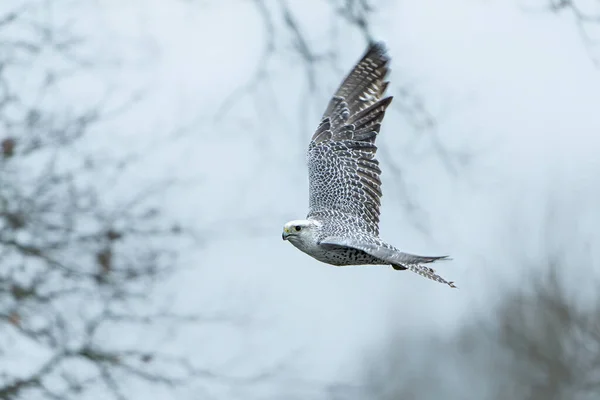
[(391, 255)]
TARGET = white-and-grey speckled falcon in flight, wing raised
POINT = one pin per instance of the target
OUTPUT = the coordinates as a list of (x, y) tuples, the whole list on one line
[(345, 189)]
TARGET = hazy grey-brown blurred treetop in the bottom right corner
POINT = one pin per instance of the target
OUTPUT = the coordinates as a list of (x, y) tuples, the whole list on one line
[(539, 342)]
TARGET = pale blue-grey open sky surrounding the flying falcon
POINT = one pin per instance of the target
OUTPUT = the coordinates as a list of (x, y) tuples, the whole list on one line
[(515, 89)]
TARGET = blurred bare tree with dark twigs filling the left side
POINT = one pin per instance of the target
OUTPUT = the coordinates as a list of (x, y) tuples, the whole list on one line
[(81, 270)]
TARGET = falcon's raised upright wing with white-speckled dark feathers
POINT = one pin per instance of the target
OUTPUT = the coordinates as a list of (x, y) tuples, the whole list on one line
[(343, 170)]
